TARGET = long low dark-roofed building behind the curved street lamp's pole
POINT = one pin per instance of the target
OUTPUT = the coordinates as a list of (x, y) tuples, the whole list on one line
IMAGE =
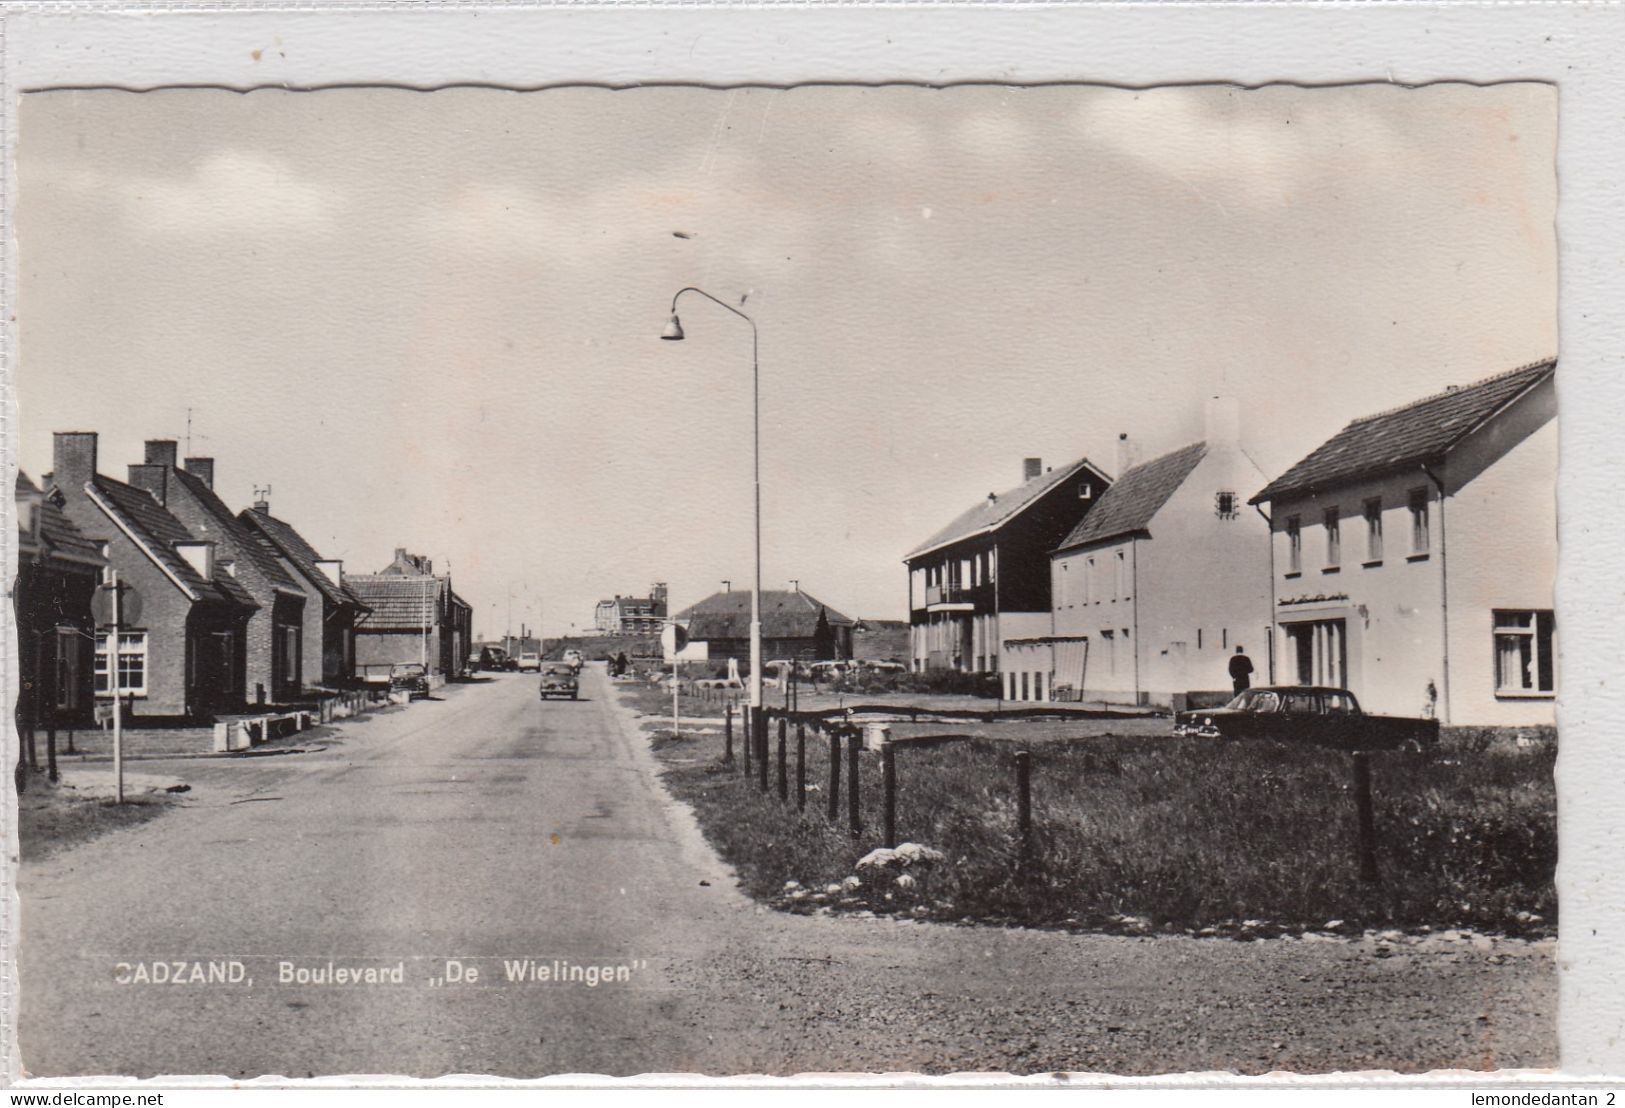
[(791, 626)]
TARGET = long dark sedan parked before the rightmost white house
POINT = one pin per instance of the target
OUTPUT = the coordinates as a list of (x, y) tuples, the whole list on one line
[(1307, 714)]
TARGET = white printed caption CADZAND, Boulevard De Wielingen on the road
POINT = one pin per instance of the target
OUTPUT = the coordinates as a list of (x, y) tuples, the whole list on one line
[(256, 972)]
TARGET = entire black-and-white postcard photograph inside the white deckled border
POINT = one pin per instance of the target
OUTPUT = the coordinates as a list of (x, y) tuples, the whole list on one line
[(1016, 579)]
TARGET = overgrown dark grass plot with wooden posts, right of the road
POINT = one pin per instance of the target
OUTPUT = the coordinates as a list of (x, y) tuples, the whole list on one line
[(1155, 833)]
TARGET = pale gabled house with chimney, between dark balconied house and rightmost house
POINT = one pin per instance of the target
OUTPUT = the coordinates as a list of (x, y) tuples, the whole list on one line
[(1155, 591)]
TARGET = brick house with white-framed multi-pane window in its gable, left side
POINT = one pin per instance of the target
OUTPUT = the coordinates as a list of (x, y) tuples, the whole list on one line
[(184, 657)]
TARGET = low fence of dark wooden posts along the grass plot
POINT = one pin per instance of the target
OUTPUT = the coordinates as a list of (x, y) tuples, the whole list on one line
[(784, 769)]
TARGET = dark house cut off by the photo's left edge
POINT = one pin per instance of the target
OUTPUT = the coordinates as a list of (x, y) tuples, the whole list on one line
[(58, 571)]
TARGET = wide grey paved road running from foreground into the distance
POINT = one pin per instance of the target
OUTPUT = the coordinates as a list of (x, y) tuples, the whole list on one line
[(490, 829)]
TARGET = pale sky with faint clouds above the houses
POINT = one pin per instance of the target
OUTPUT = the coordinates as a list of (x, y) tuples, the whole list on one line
[(431, 319)]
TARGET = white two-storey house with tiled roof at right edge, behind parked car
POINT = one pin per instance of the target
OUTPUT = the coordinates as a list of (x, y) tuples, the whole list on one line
[(1415, 556)]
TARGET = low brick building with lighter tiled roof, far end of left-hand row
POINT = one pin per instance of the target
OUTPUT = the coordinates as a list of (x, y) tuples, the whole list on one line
[(415, 617)]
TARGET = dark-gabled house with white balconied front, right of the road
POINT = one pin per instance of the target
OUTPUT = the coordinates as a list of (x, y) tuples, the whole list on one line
[(986, 578)]
